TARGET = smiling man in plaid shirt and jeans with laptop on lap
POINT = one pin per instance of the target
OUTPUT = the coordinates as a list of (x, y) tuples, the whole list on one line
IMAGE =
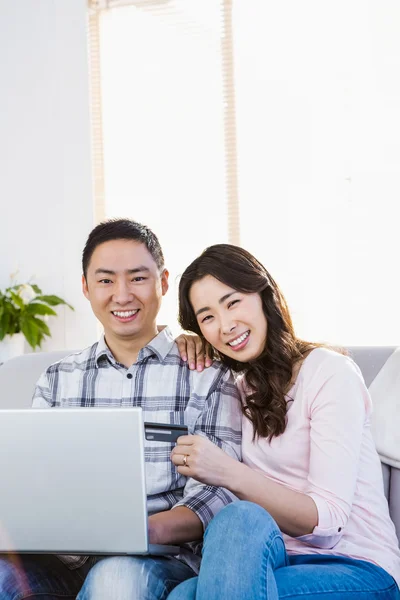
[(124, 279)]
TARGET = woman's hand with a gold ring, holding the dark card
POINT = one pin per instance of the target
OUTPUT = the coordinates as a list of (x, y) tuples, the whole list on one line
[(196, 456)]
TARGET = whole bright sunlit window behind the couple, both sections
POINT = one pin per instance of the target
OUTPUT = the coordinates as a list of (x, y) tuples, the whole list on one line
[(315, 89)]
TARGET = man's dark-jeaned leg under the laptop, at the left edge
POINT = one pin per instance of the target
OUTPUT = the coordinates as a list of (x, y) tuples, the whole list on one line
[(37, 576)]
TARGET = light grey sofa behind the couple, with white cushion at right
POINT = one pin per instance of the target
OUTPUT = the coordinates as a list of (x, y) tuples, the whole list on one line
[(380, 366)]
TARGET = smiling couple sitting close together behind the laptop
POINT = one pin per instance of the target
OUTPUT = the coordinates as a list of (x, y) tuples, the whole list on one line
[(313, 519)]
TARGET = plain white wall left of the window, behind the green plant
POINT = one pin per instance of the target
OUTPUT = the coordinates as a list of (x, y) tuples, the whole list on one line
[(45, 170)]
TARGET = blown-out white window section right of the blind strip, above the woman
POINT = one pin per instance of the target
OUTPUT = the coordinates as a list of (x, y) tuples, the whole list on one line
[(319, 156)]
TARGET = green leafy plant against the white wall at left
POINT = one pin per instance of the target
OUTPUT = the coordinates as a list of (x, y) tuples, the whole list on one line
[(24, 308)]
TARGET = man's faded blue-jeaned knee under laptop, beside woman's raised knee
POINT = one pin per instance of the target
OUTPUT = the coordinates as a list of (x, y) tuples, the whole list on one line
[(134, 578)]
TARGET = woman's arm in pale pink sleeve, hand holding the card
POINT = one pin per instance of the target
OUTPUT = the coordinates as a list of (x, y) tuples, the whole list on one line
[(337, 410)]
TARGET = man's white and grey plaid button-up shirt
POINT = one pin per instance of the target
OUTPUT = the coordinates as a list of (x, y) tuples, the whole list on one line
[(168, 392)]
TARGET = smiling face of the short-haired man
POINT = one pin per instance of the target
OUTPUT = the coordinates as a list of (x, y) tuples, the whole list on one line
[(125, 288)]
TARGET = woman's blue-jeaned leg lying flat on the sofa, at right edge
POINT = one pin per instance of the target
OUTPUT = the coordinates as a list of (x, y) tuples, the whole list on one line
[(322, 576)]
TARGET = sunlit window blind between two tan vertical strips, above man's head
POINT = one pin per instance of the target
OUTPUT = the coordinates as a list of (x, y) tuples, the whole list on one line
[(163, 113)]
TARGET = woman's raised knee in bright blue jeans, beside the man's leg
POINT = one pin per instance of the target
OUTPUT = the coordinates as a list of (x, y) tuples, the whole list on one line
[(243, 547)]
